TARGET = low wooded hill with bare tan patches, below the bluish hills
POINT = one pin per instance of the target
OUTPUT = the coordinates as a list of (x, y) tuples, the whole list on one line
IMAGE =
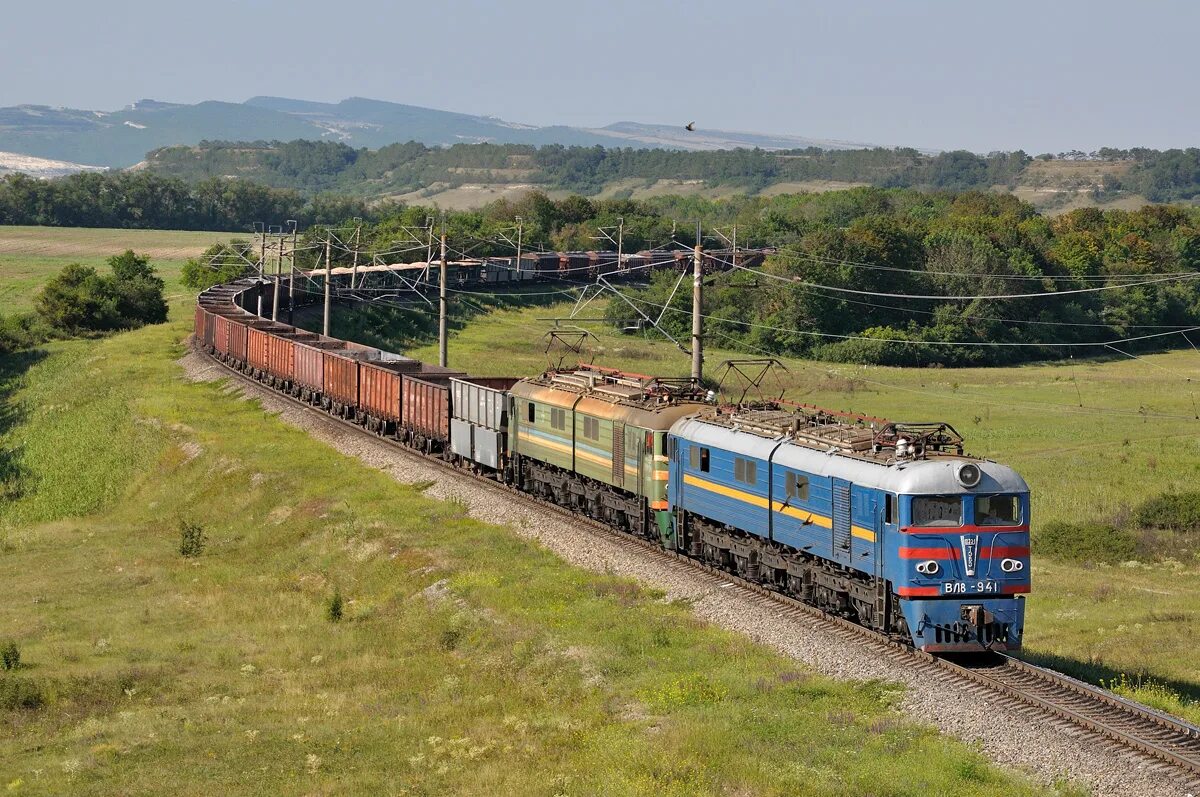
[(471, 176)]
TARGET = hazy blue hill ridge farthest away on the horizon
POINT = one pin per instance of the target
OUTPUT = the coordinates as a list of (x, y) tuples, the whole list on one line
[(123, 137)]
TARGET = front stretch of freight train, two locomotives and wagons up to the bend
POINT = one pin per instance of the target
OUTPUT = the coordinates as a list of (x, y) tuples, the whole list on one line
[(890, 525)]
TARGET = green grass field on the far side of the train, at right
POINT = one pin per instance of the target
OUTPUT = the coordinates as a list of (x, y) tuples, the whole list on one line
[(1136, 436)]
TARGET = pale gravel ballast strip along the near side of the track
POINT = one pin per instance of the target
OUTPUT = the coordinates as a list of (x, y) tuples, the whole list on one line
[(1047, 751)]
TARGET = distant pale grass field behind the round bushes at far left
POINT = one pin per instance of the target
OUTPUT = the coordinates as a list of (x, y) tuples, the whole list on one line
[(29, 256)]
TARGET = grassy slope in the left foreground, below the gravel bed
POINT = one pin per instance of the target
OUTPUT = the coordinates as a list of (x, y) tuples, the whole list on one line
[(465, 661)]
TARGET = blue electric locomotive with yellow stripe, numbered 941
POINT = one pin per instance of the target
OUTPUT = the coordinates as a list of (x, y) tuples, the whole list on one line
[(890, 525)]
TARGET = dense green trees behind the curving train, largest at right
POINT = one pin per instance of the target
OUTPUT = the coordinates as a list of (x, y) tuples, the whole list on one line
[(819, 296)]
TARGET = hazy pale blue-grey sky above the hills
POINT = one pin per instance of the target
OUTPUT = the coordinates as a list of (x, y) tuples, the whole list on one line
[(1043, 76)]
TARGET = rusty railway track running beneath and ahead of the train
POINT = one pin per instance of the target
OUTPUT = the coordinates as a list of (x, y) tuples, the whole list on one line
[(1167, 745)]
